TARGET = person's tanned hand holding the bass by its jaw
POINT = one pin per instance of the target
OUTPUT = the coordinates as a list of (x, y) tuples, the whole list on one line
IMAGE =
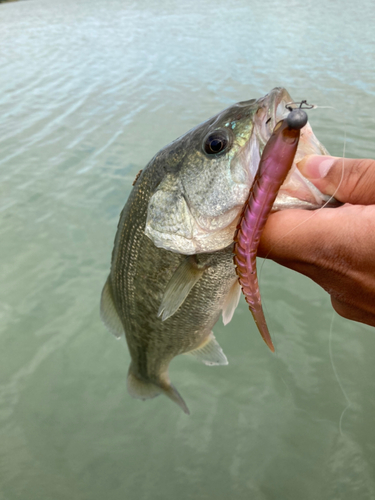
[(335, 247)]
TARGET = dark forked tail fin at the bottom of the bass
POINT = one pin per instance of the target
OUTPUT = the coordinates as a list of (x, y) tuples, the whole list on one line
[(143, 389)]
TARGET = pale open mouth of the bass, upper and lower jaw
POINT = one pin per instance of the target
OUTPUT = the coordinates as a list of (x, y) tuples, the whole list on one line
[(297, 191)]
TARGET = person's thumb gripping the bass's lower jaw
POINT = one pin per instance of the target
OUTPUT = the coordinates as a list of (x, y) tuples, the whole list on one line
[(348, 180)]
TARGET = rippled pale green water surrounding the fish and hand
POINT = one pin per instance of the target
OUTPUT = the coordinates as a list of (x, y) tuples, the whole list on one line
[(90, 91)]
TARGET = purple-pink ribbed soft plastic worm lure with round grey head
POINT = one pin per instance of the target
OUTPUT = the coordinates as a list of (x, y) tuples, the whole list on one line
[(276, 161)]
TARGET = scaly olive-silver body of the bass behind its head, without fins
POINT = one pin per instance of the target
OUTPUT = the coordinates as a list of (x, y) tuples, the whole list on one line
[(139, 275)]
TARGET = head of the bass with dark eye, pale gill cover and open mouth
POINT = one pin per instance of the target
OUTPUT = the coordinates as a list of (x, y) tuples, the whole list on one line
[(209, 171)]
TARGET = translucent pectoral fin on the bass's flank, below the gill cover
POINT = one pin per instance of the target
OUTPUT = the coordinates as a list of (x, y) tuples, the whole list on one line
[(182, 281)]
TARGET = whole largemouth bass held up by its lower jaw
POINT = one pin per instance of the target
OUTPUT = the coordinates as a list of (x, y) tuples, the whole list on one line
[(172, 272)]
